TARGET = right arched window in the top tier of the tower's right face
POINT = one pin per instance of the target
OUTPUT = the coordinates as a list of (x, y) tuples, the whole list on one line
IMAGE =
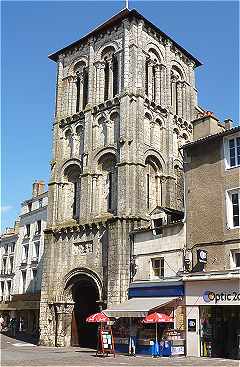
[(176, 91)]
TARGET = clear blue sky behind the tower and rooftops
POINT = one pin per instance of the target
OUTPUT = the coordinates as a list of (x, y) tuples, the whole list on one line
[(31, 30)]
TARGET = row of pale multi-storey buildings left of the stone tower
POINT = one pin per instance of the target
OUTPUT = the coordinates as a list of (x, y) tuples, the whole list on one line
[(21, 261)]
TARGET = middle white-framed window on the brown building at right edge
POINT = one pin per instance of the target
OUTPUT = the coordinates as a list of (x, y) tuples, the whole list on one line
[(233, 205)]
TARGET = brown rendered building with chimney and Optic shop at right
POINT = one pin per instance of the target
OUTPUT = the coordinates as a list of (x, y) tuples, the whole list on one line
[(212, 191)]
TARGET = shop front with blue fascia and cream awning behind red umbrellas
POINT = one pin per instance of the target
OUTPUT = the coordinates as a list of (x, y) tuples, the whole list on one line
[(130, 314)]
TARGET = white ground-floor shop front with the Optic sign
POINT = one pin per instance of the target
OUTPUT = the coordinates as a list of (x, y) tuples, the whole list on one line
[(213, 316)]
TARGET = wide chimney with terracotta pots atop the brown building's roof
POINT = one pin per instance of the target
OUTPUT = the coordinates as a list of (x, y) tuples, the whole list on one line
[(207, 124)]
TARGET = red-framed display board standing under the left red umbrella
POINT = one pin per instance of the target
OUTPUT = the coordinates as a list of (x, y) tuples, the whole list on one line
[(105, 341)]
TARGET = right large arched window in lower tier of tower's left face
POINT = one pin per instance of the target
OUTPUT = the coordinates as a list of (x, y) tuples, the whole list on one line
[(107, 183)]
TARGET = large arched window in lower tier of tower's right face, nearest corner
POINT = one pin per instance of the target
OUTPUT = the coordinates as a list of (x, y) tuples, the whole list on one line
[(153, 172)]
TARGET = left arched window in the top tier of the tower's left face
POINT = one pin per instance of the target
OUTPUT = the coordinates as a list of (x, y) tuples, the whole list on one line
[(81, 73)]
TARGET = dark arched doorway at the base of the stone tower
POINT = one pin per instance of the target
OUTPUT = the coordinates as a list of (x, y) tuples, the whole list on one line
[(85, 295)]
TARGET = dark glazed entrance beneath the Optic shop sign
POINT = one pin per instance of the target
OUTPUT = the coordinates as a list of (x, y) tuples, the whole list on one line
[(220, 331)]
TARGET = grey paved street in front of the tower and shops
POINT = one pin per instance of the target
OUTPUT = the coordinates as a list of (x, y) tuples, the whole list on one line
[(18, 353)]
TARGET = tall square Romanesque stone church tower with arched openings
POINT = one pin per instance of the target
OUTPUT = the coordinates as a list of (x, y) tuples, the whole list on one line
[(124, 104)]
